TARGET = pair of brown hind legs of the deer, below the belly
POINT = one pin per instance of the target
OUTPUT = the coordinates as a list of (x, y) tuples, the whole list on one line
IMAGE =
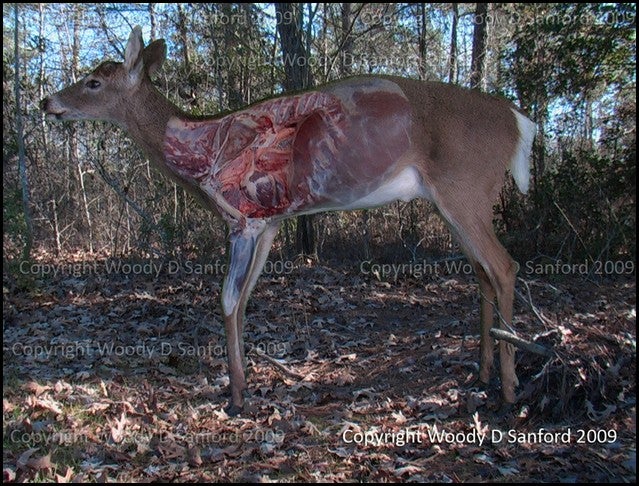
[(496, 272)]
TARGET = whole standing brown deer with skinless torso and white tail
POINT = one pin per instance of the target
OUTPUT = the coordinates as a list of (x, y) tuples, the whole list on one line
[(357, 143)]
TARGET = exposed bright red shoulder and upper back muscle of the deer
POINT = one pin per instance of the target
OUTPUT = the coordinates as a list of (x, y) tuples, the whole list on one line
[(246, 156)]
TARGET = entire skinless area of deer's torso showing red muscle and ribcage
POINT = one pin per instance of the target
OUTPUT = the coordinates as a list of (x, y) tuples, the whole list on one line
[(319, 150)]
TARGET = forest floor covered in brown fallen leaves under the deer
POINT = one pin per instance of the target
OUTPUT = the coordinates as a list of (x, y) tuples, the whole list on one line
[(119, 374)]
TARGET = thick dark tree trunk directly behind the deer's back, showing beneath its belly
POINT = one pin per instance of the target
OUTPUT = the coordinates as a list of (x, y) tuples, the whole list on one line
[(297, 77)]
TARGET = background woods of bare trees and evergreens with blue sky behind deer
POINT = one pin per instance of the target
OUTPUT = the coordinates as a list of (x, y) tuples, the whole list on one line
[(85, 187)]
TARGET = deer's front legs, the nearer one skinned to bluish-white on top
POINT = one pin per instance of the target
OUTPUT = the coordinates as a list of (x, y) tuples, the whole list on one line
[(248, 251)]
